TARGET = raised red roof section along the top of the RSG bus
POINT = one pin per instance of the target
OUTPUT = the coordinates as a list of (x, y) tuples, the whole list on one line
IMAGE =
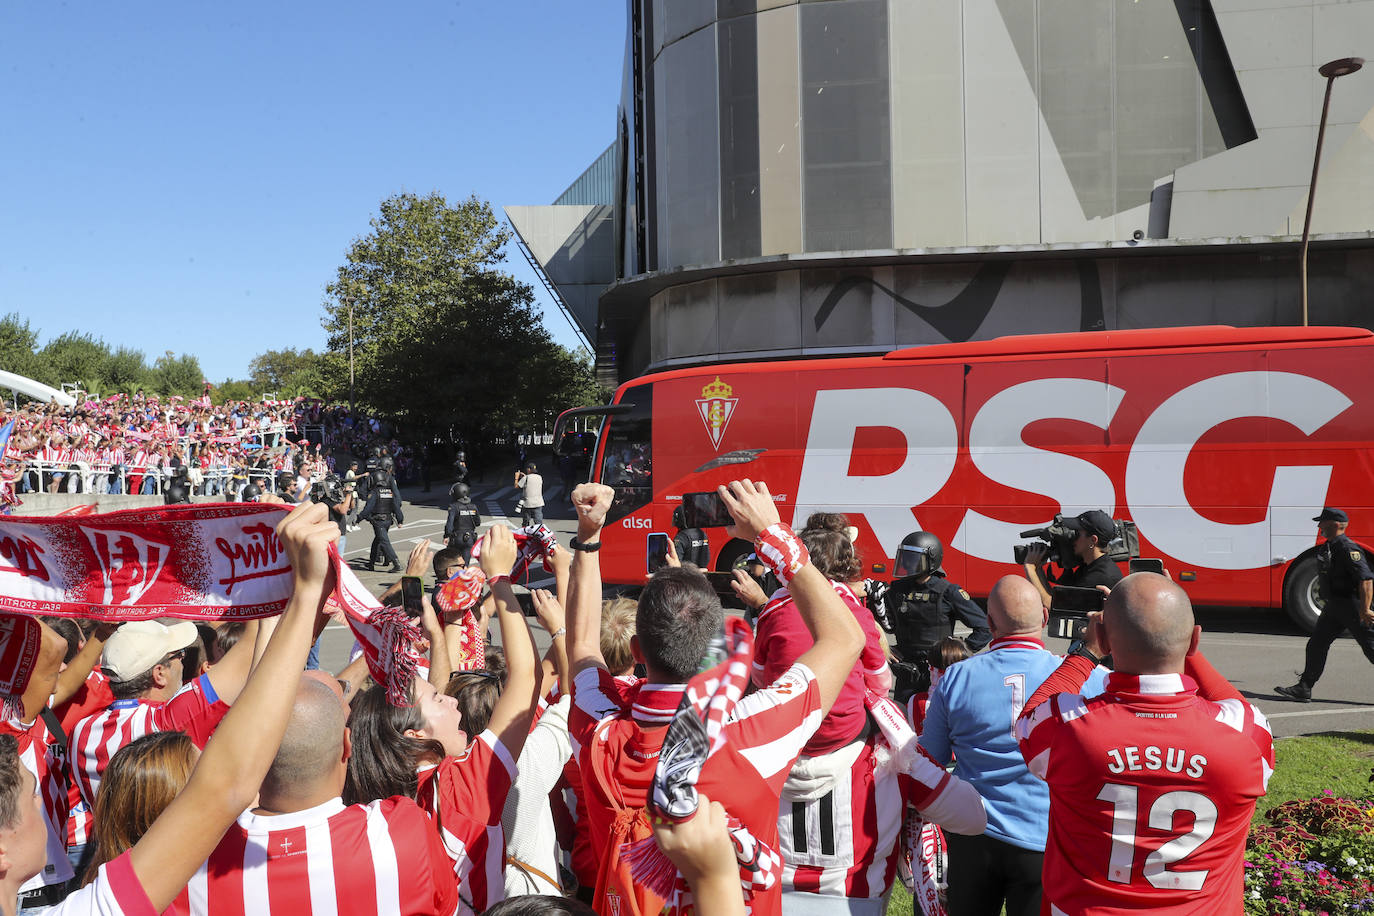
[(1092, 343)]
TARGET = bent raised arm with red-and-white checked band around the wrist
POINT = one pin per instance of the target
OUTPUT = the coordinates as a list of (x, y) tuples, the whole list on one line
[(832, 624)]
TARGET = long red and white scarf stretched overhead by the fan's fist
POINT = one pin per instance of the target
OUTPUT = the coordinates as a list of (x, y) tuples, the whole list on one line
[(196, 562)]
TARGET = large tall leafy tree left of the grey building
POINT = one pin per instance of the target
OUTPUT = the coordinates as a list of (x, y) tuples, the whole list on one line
[(442, 336)]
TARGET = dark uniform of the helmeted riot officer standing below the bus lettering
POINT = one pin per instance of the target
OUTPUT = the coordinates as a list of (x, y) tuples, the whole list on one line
[(923, 613)]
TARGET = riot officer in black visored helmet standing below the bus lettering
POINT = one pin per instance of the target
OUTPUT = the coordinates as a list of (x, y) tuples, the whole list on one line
[(920, 608)]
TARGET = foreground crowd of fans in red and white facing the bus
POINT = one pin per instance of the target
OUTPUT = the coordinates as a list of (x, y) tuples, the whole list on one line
[(196, 770)]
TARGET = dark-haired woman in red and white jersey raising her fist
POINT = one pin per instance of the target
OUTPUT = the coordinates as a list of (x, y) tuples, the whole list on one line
[(424, 753)]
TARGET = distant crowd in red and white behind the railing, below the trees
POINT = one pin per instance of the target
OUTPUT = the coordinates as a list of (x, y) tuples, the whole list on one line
[(139, 444)]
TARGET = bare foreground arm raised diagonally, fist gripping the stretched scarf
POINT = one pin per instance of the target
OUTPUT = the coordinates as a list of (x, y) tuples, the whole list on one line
[(229, 774)]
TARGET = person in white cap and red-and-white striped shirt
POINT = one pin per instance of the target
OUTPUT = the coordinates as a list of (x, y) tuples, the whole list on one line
[(144, 663)]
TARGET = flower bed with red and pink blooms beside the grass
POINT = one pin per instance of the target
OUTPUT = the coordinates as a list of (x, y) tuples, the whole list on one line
[(1316, 856)]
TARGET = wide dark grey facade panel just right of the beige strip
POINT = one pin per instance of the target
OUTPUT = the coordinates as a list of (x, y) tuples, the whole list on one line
[(847, 145)]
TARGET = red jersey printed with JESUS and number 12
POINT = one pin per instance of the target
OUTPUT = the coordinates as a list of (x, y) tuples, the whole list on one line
[(1152, 790)]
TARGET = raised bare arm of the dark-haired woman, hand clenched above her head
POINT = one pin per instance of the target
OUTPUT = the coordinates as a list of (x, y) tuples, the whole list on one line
[(516, 709)]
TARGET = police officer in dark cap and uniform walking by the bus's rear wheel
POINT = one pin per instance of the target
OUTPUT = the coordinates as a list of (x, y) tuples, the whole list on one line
[(1349, 584)]
